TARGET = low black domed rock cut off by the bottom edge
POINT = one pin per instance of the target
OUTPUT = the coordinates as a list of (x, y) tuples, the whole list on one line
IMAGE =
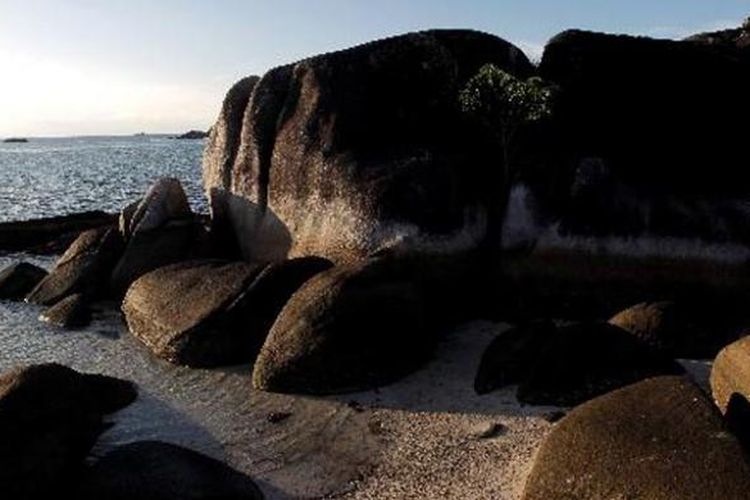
[(156, 470)]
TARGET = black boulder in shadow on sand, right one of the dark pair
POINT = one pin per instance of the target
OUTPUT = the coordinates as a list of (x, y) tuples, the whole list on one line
[(587, 360)]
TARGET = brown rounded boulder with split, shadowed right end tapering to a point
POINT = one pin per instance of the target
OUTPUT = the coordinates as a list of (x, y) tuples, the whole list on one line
[(210, 313)]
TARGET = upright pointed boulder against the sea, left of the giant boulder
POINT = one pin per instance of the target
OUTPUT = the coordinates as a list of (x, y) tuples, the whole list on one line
[(161, 230)]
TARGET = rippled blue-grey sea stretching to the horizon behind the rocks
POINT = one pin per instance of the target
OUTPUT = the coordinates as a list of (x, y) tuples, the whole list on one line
[(57, 176)]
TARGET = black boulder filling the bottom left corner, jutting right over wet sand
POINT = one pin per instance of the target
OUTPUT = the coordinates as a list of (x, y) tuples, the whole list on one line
[(50, 417)]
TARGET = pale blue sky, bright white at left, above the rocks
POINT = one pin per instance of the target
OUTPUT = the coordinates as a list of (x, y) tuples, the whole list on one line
[(97, 67)]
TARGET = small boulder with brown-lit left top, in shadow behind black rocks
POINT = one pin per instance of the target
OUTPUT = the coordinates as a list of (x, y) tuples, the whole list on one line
[(678, 328)]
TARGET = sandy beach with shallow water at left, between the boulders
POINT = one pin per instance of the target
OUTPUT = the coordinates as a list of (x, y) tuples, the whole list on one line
[(426, 436)]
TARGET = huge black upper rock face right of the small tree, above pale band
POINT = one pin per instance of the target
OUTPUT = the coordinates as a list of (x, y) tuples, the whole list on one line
[(646, 140)]
